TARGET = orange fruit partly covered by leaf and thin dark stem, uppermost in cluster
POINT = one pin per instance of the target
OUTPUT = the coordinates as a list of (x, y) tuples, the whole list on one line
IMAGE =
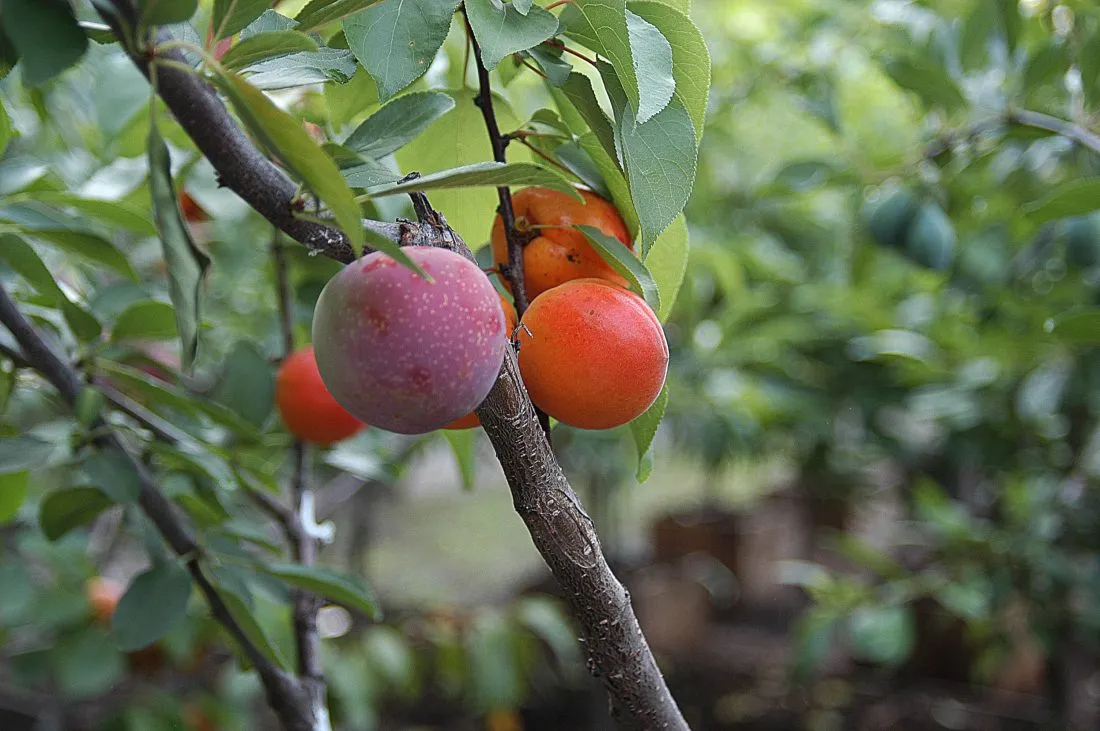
[(562, 253)]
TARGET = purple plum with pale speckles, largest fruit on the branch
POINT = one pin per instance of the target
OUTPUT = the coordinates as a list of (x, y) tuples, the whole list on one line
[(406, 355)]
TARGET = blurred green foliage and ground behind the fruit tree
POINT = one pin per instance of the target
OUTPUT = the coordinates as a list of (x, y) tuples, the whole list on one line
[(874, 500)]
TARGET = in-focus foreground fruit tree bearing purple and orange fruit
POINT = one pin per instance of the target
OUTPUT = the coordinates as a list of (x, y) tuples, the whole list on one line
[(377, 145)]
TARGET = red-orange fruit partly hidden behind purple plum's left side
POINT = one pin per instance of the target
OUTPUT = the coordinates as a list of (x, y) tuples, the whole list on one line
[(304, 403)]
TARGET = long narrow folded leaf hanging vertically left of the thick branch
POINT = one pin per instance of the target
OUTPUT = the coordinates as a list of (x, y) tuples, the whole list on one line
[(188, 264)]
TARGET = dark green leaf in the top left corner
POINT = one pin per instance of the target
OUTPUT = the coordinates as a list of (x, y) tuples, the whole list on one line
[(46, 36)]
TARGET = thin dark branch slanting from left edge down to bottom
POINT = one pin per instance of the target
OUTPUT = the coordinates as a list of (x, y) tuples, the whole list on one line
[(285, 694)]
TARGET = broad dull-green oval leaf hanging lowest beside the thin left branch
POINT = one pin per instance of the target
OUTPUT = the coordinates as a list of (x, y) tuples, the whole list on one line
[(156, 602)]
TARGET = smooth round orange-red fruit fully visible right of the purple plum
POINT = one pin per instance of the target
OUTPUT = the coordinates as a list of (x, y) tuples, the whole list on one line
[(592, 356)]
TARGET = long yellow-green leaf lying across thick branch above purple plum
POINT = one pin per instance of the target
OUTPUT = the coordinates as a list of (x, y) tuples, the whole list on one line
[(289, 141)]
